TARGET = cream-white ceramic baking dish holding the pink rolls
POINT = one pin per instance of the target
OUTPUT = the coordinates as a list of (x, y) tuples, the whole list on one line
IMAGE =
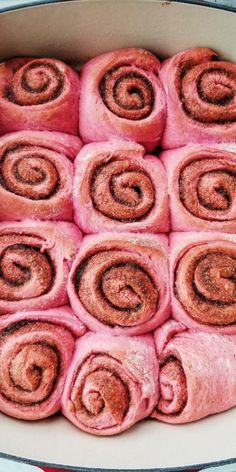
[(75, 31)]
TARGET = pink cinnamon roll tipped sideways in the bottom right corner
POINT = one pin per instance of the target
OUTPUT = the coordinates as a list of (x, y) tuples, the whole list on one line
[(197, 373)]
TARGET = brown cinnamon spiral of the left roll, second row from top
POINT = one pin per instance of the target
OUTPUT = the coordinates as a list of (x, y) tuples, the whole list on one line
[(26, 170)]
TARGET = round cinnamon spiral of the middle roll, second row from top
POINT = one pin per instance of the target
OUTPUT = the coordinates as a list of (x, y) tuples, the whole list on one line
[(127, 191)]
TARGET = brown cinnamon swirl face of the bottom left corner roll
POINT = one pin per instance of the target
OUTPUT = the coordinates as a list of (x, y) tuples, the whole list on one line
[(28, 371)]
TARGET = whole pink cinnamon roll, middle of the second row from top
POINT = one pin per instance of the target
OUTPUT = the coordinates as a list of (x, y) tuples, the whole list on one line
[(118, 188)]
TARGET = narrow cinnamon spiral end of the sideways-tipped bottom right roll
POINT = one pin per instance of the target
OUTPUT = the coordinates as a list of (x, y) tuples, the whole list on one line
[(173, 387)]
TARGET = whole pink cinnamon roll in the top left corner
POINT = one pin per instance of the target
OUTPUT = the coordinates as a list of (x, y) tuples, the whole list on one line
[(38, 94)]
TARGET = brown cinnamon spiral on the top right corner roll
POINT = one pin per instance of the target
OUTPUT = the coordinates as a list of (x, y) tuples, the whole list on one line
[(207, 91)]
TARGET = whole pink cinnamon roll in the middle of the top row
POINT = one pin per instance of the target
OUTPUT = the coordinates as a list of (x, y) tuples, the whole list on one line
[(122, 97)]
